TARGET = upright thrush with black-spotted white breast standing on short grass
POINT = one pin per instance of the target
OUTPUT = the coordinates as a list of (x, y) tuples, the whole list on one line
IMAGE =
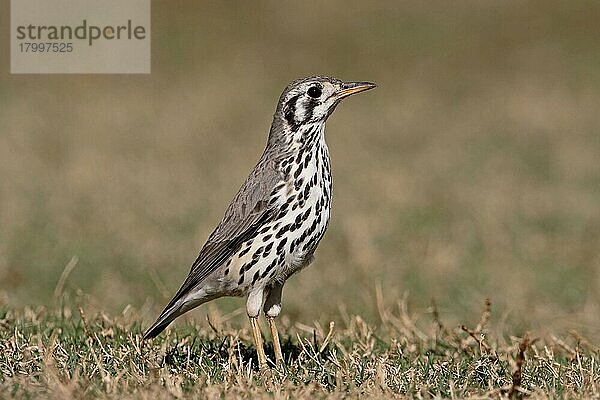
[(275, 222)]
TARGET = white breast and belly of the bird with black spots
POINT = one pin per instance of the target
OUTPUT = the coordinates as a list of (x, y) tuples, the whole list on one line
[(302, 204)]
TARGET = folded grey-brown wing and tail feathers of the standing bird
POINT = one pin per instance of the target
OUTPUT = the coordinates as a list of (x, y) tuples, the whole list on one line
[(248, 211)]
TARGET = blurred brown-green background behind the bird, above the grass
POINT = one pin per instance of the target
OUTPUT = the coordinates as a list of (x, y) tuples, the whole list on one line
[(473, 171)]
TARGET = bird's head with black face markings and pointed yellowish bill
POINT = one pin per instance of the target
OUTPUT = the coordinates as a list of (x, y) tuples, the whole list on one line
[(312, 100)]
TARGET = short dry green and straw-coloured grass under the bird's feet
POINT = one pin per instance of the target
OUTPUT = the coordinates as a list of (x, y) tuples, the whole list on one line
[(54, 354)]
